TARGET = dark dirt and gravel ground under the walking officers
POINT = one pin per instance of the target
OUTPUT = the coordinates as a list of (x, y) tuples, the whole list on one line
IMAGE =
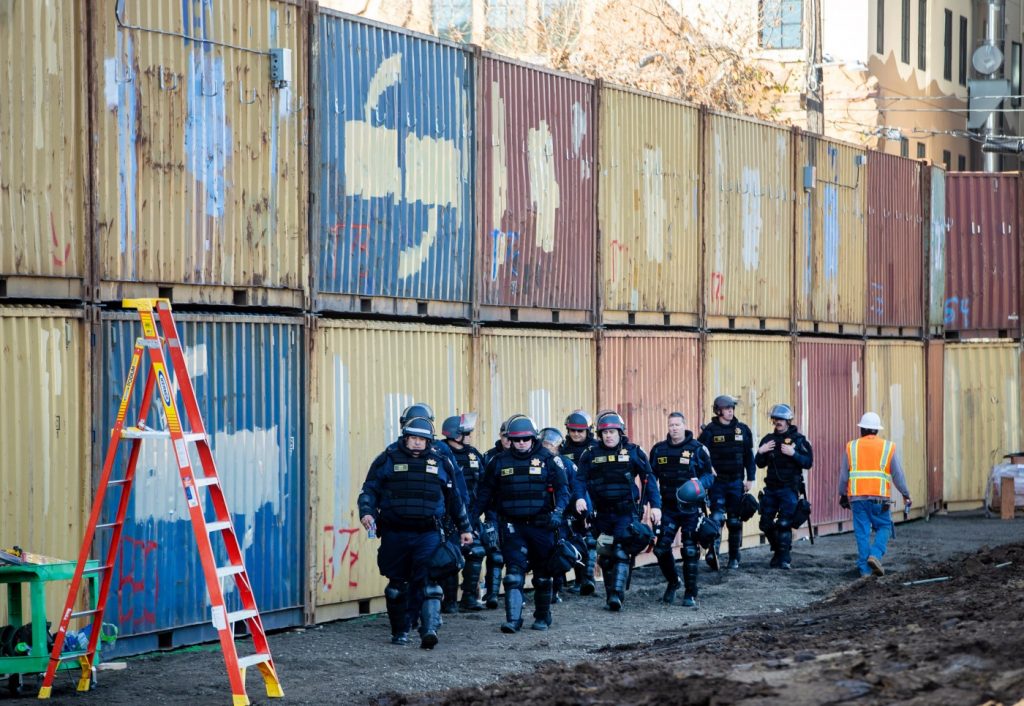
[(813, 636)]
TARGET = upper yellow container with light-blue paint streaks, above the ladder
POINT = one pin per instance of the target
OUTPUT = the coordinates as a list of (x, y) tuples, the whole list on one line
[(200, 179)]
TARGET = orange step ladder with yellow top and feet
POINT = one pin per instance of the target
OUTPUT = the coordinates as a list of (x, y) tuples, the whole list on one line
[(160, 336)]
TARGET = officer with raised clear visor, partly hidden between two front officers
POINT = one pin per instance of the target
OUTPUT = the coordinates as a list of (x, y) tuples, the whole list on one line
[(456, 432)]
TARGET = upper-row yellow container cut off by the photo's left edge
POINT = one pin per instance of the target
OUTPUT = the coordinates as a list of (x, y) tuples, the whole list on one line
[(45, 200)]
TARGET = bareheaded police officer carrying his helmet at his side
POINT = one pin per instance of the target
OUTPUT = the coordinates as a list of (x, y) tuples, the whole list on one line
[(675, 461)]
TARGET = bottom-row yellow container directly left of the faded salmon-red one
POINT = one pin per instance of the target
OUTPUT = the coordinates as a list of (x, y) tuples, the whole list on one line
[(545, 375)]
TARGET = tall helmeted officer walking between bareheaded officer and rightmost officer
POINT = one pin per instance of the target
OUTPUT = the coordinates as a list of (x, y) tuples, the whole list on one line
[(732, 446)]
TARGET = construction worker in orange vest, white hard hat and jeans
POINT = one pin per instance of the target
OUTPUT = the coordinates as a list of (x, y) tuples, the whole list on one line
[(868, 470)]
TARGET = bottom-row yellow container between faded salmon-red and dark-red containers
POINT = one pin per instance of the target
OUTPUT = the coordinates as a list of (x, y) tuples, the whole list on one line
[(757, 370)]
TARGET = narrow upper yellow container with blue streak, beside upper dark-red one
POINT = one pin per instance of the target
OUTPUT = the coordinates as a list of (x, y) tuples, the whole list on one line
[(832, 245)]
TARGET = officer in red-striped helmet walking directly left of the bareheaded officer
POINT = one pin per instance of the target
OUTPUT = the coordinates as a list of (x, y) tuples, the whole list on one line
[(608, 474)]
